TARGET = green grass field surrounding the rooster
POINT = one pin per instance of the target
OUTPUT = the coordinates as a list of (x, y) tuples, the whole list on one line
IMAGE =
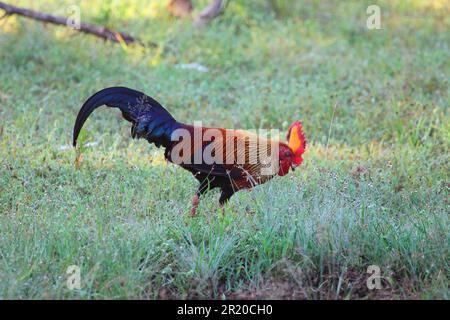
[(373, 190)]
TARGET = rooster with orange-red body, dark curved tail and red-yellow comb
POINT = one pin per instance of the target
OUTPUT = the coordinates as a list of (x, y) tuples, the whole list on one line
[(218, 158)]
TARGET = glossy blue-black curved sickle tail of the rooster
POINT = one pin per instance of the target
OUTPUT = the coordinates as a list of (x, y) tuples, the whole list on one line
[(150, 120)]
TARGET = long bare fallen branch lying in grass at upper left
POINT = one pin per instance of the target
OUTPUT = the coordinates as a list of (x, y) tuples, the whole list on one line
[(98, 31)]
